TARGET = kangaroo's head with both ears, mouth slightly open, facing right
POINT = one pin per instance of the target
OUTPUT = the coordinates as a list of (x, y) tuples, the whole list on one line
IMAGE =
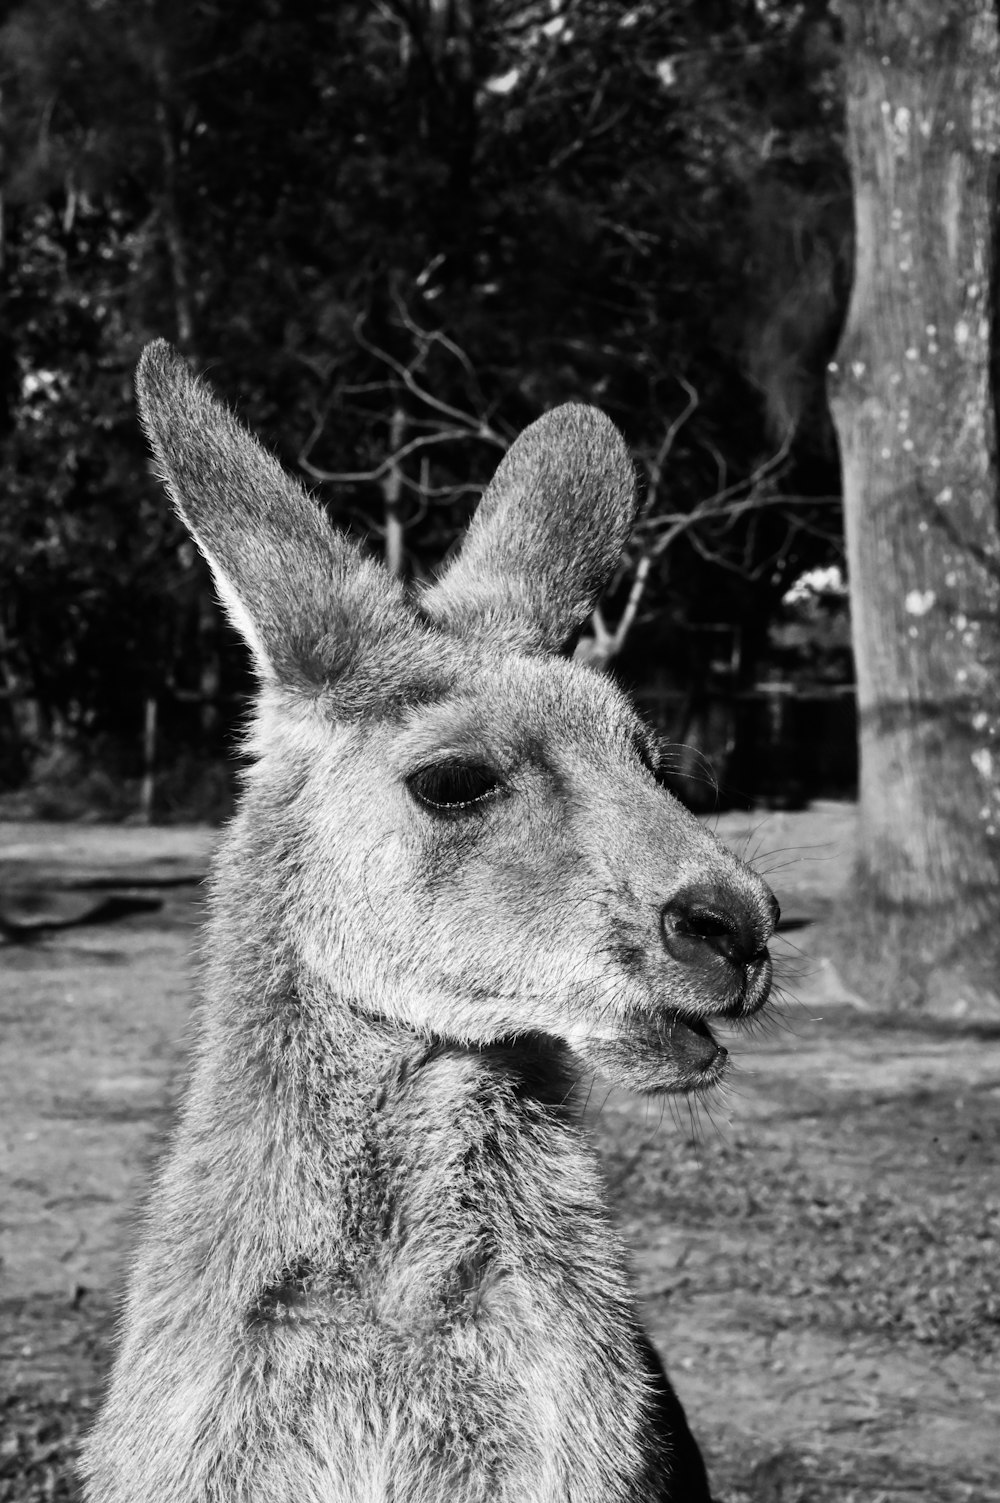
[(450, 826)]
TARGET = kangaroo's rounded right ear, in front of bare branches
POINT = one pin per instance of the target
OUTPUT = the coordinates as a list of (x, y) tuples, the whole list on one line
[(545, 539)]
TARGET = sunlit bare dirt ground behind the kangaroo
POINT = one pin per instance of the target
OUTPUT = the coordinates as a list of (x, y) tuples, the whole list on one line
[(819, 1253)]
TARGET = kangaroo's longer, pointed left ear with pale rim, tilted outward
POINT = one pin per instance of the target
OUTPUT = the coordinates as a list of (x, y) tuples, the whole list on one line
[(312, 608)]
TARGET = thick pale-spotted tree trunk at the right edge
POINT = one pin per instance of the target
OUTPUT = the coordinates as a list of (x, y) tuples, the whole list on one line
[(915, 417)]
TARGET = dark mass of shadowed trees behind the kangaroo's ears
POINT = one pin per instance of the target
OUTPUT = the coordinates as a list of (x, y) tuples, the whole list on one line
[(396, 234)]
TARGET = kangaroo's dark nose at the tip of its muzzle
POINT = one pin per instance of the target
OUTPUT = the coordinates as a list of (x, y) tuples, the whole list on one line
[(705, 918)]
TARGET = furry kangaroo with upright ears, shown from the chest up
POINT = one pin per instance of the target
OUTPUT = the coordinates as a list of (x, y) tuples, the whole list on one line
[(378, 1265)]
